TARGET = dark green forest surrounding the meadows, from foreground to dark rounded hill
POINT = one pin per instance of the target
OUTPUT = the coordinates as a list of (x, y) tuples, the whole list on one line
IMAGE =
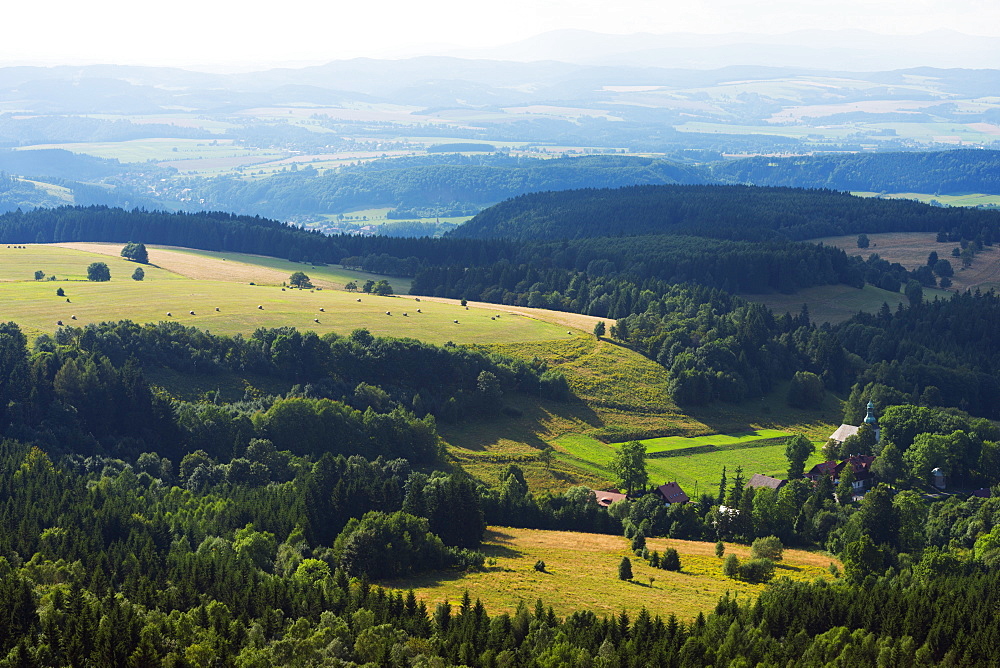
[(140, 529)]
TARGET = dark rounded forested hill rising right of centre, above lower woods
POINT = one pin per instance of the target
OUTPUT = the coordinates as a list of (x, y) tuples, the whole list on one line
[(746, 213)]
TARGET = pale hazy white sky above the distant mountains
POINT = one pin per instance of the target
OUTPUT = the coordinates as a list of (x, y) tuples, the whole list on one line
[(250, 32)]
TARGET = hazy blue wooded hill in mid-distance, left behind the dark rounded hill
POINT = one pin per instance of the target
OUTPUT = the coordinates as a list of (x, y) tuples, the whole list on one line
[(446, 185)]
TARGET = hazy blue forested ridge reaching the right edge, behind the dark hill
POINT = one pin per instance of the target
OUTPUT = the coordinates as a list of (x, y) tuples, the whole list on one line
[(958, 171)]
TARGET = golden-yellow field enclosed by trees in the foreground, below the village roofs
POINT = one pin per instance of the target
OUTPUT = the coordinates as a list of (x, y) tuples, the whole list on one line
[(582, 574)]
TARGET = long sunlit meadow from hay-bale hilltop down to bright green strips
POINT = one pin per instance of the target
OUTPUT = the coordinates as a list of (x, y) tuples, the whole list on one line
[(619, 394)]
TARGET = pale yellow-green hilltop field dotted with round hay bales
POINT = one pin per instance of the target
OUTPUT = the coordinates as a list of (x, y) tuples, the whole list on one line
[(35, 306)]
